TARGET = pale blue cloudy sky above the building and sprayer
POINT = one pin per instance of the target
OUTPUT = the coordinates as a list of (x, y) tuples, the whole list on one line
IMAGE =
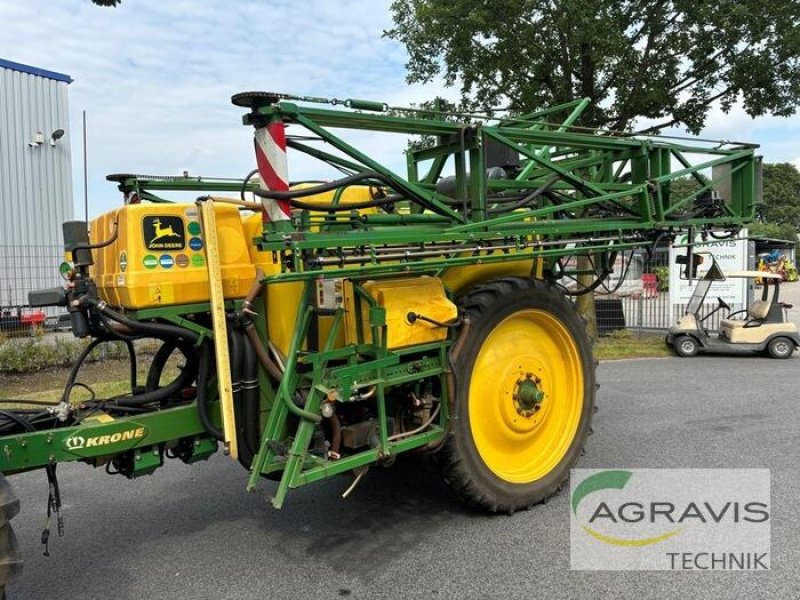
[(155, 79)]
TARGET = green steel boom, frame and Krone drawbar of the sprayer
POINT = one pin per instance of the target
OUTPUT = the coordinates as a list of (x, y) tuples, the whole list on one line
[(570, 193)]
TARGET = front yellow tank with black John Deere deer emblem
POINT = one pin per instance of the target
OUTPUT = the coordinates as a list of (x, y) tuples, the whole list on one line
[(158, 258)]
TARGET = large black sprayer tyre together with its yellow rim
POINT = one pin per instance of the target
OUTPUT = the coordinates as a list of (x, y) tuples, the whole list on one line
[(525, 388)]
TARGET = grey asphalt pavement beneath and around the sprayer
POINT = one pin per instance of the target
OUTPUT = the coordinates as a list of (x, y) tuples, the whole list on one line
[(193, 532)]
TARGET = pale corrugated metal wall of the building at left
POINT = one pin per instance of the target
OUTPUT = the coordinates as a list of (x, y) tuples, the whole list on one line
[(35, 182)]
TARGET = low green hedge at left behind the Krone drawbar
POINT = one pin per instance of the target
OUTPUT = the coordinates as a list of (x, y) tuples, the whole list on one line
[(37, 353)]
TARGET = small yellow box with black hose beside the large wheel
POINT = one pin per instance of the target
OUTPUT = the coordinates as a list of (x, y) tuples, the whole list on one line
[(399, 297)]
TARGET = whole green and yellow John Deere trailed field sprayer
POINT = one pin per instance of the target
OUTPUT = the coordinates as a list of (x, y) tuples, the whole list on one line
[(336, 325)]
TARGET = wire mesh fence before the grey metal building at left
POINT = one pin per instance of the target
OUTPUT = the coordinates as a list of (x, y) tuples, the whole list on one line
[(22, 269)]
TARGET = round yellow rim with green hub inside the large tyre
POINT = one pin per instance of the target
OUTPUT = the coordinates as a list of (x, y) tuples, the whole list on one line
[(526, 396)]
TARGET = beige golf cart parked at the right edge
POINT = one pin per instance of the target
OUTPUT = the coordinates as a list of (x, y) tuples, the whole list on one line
[(760, 327)]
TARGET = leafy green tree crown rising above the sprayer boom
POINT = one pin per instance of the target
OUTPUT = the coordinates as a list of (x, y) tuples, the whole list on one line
[(666, 61)]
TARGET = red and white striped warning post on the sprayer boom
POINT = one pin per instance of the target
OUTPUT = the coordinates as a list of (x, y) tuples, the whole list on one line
[(270, 145)]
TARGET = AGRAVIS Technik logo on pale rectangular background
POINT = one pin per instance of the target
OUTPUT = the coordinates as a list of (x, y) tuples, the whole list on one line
[(672, 519)]
